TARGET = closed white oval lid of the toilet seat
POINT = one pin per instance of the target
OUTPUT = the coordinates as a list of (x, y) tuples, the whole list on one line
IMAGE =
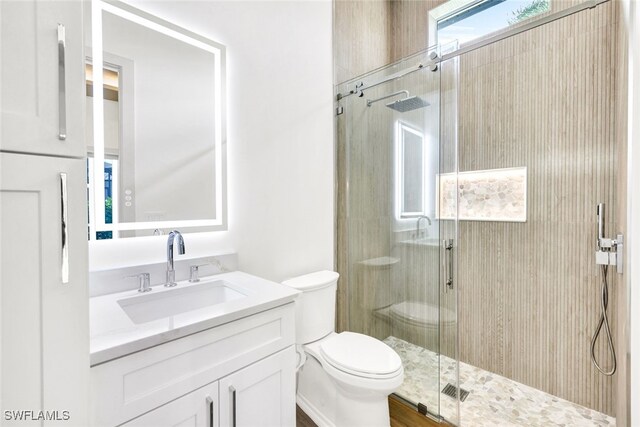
[(360, 354)]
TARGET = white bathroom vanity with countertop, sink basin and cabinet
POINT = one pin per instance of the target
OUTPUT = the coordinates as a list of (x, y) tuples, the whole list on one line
[(219, 352)]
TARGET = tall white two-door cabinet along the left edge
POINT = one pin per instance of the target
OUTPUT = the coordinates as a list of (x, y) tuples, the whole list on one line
[(44, 337)]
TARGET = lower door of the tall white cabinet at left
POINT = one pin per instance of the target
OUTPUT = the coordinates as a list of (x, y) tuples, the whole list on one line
[(44, 308)]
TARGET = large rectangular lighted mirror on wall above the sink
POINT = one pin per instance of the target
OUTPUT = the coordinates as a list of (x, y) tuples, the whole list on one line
[(156, 154)]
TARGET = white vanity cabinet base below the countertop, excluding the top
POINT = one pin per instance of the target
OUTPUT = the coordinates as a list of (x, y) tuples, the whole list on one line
[(170, 384)]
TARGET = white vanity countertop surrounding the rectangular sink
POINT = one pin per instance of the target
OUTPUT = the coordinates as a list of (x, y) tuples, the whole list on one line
[(114, 334)]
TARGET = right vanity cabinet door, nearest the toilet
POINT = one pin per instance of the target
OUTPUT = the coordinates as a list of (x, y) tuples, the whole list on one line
[(262, 394)]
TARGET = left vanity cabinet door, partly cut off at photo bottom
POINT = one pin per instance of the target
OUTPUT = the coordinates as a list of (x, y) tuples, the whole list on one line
[(196, 409)]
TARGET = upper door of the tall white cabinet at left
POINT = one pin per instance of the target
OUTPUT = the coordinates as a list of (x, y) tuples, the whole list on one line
[(42, 79)]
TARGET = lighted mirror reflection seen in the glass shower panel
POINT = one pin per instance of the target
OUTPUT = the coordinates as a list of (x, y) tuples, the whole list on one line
[(410, 171)]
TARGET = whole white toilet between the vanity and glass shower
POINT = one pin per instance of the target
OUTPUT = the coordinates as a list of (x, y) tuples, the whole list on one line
[(343, 379)]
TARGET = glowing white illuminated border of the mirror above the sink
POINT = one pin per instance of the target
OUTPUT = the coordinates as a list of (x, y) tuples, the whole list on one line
[(125, 11)]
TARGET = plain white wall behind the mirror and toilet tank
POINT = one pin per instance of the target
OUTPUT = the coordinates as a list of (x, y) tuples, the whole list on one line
[(280, 137)]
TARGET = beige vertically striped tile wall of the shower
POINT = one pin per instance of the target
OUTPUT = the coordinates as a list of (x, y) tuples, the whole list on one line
[(528, 292)]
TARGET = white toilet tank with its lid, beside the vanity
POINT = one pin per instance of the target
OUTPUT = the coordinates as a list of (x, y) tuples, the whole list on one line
[(316, 306)]
